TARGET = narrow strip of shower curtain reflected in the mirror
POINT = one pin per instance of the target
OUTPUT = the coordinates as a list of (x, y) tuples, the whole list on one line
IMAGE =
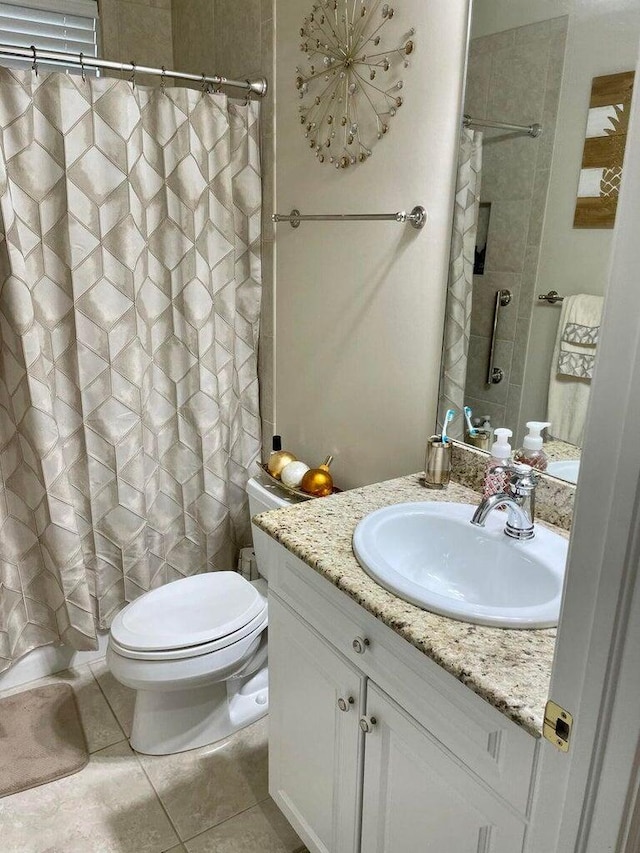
[(459, 292)]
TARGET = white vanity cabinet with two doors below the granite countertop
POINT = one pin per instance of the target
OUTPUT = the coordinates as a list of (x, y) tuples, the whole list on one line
[(372, 747)]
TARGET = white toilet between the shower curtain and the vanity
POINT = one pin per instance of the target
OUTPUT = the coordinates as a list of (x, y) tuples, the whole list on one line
[(195, 651)]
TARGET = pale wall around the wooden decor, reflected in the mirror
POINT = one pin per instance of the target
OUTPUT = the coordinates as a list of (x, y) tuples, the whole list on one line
[(603, 38)]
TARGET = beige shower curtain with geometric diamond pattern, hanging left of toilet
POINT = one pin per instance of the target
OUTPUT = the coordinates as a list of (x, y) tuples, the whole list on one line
[(130, 286)]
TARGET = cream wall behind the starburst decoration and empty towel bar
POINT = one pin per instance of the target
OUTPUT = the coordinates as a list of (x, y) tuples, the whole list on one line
[(360, 307)]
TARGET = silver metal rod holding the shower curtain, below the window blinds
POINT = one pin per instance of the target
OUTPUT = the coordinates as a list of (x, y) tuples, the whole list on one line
[(78, 60)]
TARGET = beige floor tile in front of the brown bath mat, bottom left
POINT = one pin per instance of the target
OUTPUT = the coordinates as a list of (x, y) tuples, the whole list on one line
[(109, 807)]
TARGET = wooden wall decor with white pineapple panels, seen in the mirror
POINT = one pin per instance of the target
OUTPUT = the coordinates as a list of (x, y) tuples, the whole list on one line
[(603, 156)]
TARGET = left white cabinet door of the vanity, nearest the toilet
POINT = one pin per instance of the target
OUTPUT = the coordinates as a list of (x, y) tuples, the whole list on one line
[(314, 746)]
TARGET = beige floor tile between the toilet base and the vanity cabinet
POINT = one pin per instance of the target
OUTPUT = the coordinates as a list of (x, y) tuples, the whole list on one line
[(203, 787)]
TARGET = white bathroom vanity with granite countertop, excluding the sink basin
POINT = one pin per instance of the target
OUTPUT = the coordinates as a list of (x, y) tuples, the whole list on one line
[(390, 725)]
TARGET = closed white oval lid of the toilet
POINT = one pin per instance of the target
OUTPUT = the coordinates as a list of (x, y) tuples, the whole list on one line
[(188, 612)]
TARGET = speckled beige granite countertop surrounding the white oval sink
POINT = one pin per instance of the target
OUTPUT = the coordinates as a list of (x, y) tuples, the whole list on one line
[(510, 669)]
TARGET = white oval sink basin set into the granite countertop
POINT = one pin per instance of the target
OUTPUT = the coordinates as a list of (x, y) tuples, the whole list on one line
[(431, 555)]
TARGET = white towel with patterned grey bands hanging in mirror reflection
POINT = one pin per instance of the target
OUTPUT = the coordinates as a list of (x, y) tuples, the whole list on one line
[(572, 366)]
